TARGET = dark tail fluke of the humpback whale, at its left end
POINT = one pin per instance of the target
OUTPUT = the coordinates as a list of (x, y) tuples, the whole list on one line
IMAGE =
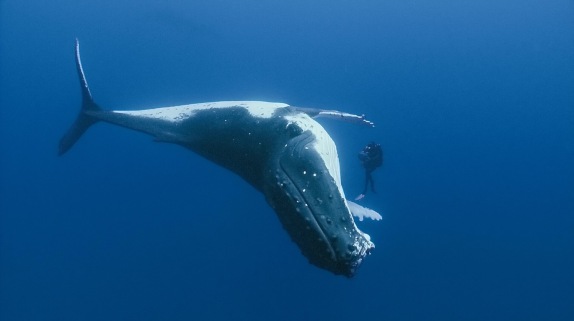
[(84, 119)]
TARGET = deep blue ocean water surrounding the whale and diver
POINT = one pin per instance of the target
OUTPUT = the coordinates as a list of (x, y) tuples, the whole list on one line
[(473, 103)]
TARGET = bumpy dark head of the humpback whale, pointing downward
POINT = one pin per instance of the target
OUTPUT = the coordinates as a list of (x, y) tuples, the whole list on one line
[(304, 188)]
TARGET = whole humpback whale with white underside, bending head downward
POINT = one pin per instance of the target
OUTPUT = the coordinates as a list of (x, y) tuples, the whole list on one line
[(277, 148)]
